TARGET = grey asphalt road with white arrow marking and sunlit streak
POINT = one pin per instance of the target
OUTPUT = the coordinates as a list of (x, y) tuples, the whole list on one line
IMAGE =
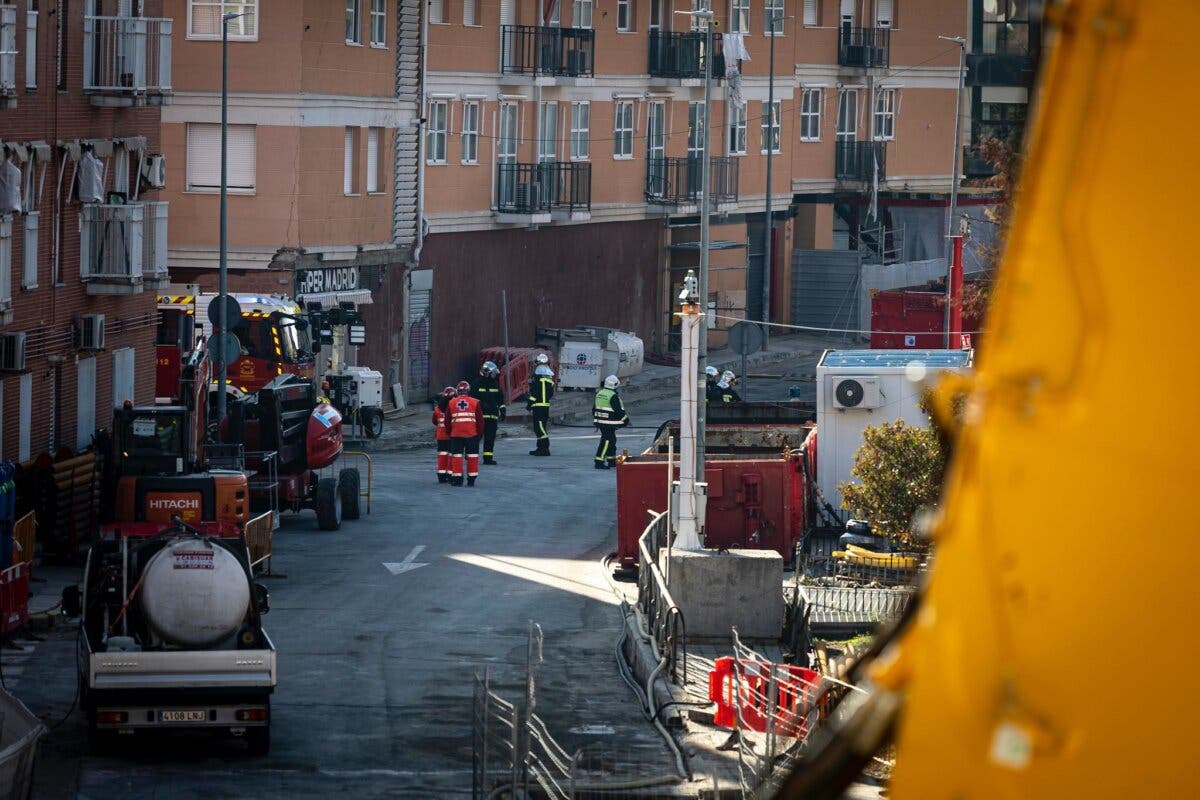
[(376, 664)]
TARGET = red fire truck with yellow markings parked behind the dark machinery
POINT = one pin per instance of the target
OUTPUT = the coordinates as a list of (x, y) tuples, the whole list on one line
[(273, 333)]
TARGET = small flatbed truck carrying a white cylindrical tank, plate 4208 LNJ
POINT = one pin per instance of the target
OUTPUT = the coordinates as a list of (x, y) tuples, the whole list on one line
[(171, 637)]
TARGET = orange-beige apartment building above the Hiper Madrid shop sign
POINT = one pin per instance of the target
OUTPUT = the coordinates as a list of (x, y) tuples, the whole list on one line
[(322, 155)]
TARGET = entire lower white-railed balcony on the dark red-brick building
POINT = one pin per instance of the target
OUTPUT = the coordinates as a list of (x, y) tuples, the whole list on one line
[(123, 248)]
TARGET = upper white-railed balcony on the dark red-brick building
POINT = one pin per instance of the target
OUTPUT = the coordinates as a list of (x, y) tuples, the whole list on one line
[(127, 61)]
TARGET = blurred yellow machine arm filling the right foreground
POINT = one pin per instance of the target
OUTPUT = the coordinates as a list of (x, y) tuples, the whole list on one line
[(1049, 653)]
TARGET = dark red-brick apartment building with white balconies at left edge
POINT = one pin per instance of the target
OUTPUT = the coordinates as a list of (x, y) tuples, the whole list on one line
[(83, 221)]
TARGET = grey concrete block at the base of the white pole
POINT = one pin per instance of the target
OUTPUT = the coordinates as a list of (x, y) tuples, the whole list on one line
[(721, 591)]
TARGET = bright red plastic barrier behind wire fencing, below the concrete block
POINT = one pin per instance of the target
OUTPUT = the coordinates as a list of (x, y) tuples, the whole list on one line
[(796, 690)]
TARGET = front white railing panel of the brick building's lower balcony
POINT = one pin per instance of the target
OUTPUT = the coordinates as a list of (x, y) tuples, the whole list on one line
[(111, 242)]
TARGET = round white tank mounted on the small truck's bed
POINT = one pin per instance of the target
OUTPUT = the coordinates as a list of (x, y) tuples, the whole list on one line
[(195, 594)]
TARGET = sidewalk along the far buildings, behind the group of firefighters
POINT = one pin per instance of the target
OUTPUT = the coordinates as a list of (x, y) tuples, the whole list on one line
[(656, 382)]
